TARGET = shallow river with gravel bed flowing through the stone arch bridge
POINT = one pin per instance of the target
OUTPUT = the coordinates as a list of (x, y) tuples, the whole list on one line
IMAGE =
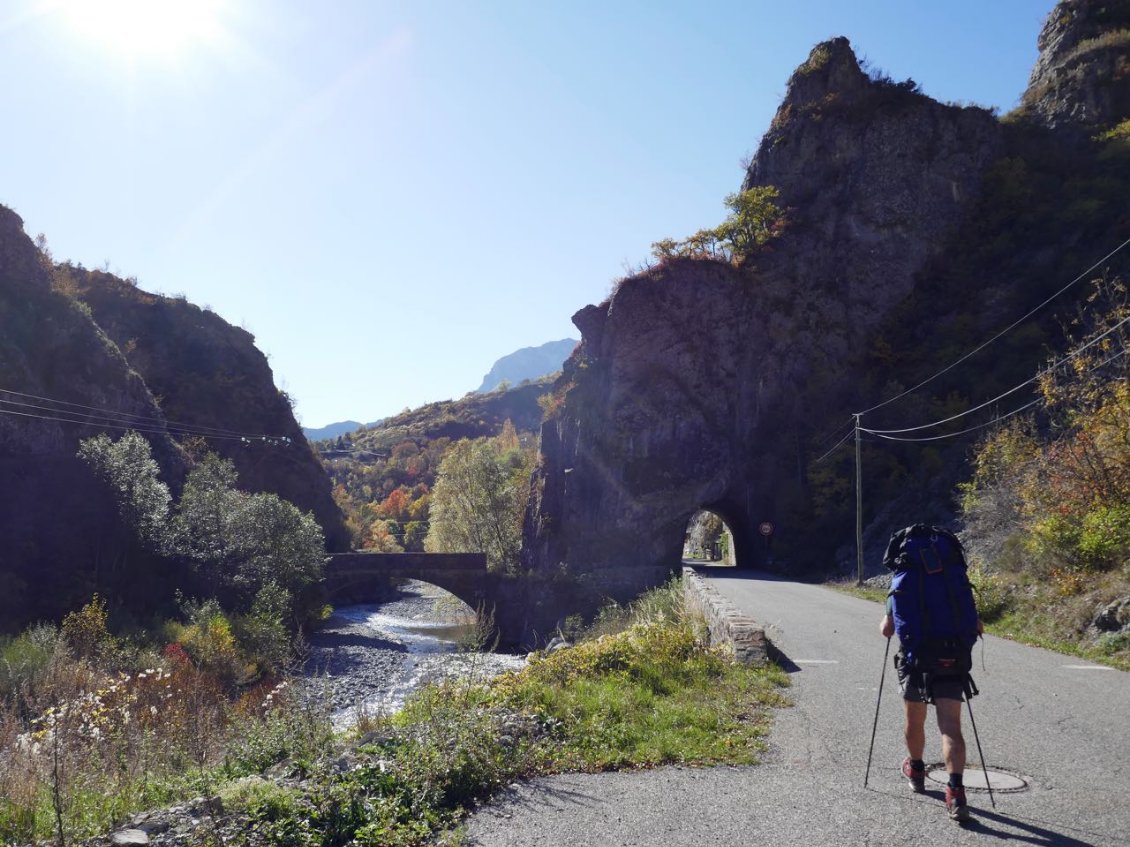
[(369, 659)]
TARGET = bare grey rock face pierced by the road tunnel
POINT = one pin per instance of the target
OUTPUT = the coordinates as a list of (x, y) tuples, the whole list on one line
[(697, 380)]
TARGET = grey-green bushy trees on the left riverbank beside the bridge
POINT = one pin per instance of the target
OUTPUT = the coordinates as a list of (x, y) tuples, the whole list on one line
[(254, 556)]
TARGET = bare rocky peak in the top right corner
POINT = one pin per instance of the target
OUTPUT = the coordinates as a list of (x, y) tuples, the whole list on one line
[(1082, 80)]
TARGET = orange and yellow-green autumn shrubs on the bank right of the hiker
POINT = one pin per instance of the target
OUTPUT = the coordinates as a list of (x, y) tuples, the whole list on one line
[(1048, 509)]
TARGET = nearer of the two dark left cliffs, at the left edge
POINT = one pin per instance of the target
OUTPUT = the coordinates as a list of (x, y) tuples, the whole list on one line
[(55, 513)]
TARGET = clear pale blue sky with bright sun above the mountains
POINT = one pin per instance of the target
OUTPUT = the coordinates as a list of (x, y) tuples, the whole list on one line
[(394, 195)]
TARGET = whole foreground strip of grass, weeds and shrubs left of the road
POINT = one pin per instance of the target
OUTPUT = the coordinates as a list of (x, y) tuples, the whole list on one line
[(644, 693)]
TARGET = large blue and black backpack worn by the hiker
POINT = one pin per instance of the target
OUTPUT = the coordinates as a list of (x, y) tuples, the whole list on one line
[(932, 601)]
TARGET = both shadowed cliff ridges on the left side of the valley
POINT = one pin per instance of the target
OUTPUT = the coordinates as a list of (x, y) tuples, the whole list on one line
[(85, 353)]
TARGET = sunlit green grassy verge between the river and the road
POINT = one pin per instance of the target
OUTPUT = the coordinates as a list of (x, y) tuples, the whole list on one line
[(650, 695)]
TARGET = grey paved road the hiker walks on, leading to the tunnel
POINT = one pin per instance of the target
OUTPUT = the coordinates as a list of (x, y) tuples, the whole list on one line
[(1067, 730)]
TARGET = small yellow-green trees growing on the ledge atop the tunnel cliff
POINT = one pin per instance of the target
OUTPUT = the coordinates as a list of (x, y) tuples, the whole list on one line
[(754, 221)]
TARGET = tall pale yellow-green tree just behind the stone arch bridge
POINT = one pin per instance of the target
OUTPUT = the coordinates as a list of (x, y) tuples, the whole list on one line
[(480, 500)]
